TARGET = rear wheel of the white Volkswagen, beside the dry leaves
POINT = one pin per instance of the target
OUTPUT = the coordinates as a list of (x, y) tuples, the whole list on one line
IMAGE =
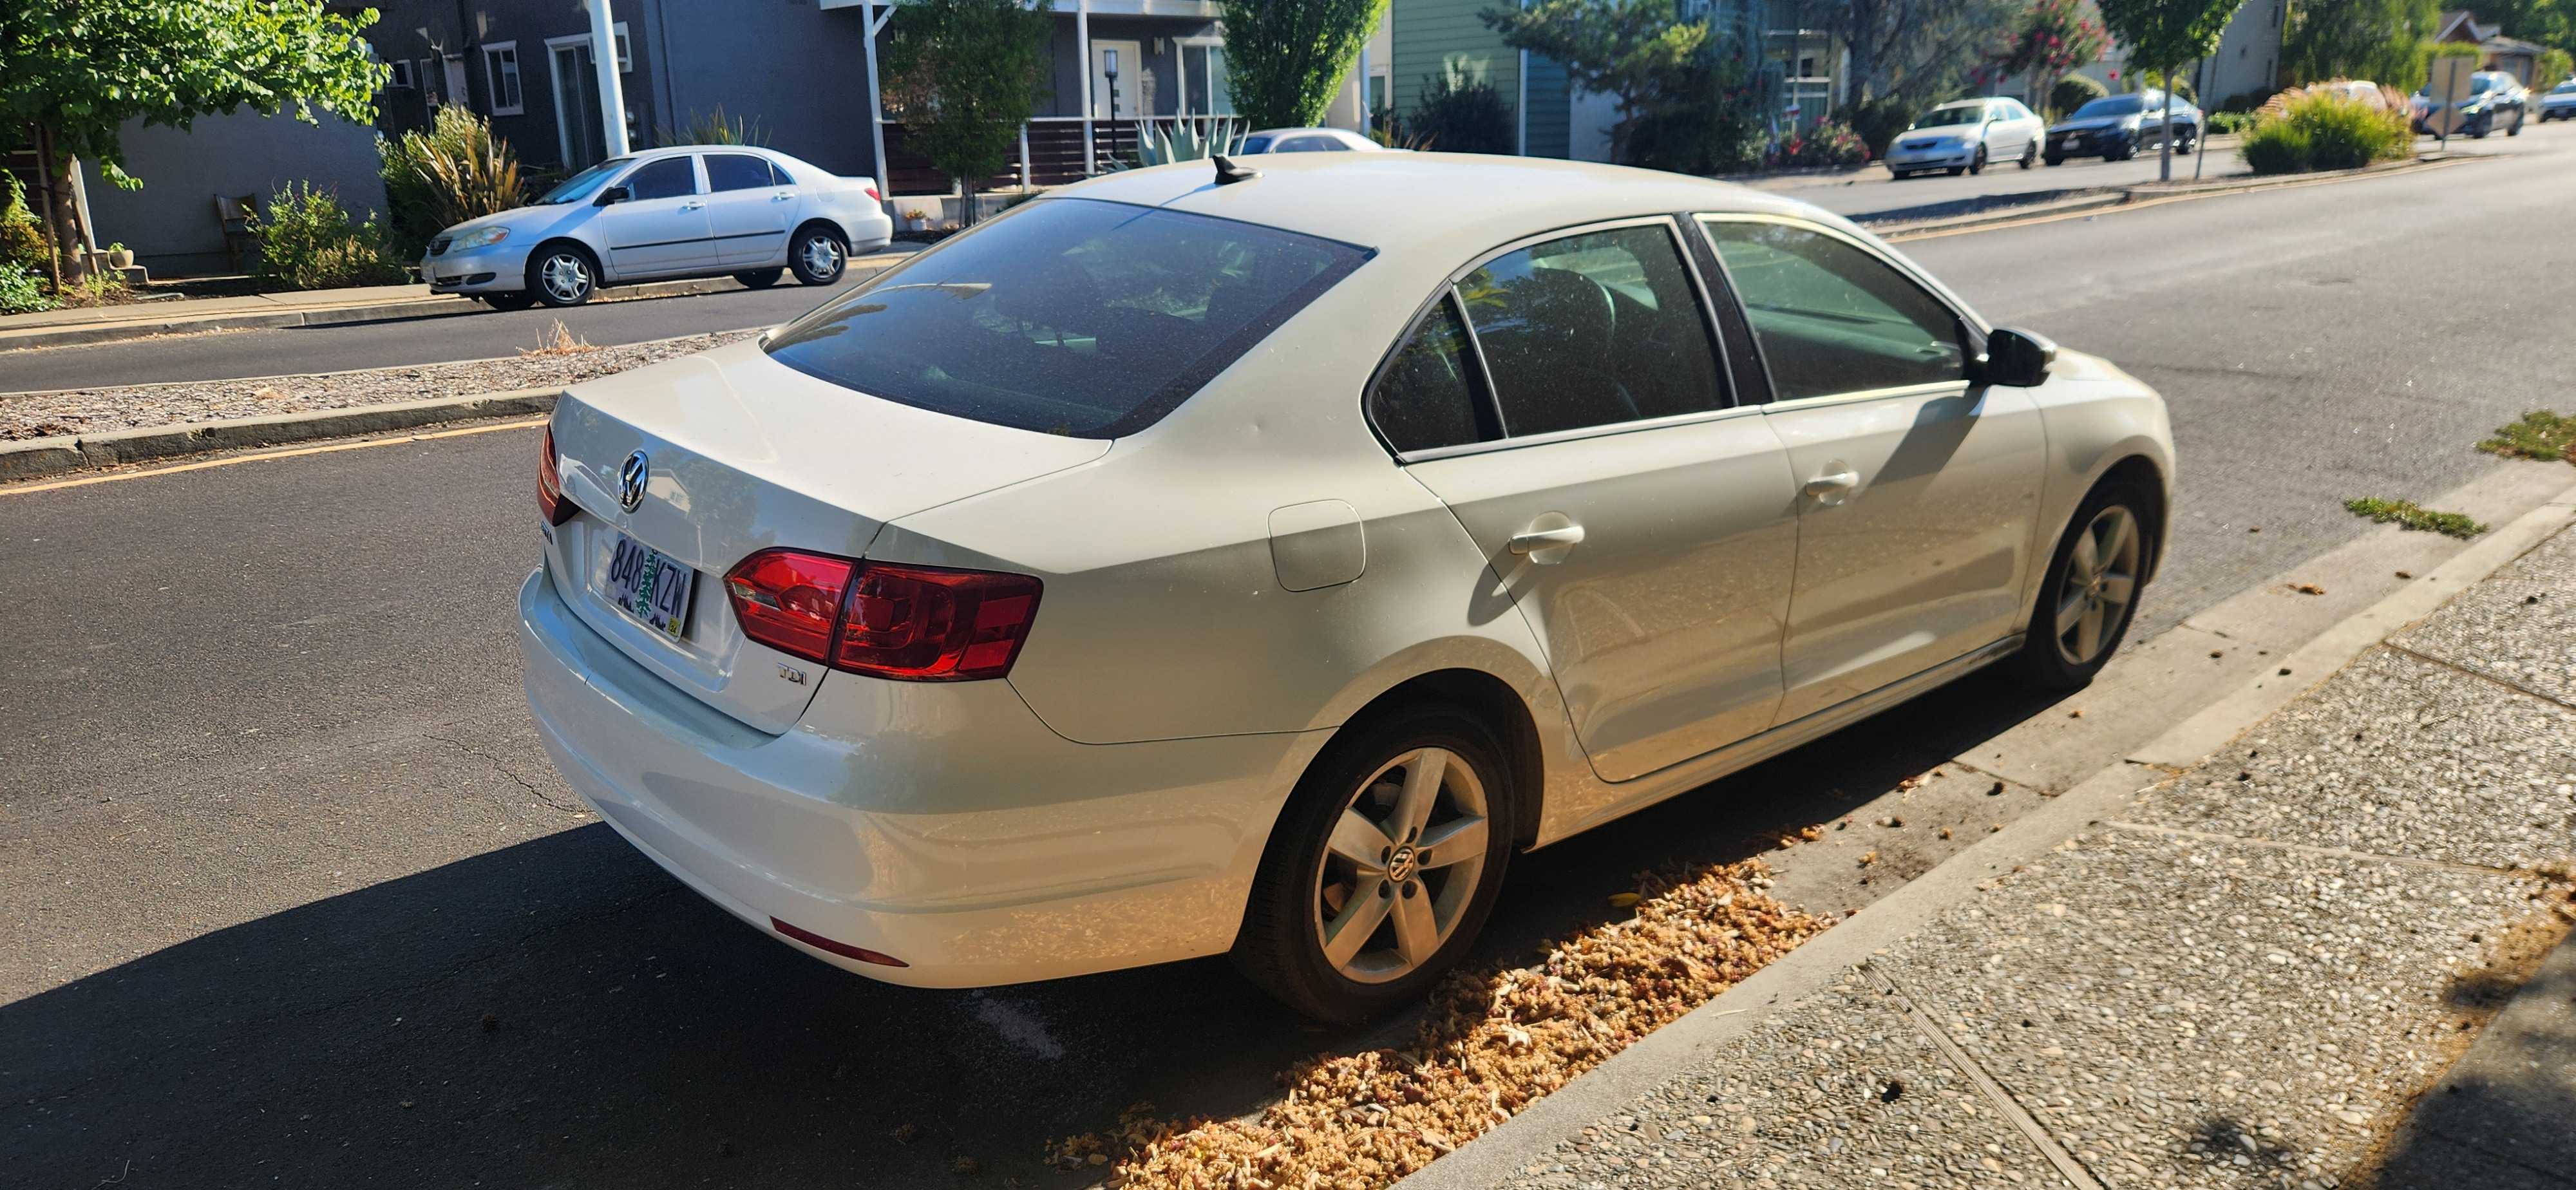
[(1385, 867)]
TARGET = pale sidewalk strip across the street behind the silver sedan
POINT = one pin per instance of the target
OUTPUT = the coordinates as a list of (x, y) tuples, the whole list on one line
[(313, 308)]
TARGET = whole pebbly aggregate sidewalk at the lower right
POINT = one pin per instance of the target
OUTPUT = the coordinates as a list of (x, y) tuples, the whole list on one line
[(2250, 972)]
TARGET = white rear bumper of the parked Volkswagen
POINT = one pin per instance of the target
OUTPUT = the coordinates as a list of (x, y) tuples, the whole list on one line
[(936, 823)]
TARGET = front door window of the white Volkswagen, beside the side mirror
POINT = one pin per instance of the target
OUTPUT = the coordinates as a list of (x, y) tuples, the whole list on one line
[(1833, 318)]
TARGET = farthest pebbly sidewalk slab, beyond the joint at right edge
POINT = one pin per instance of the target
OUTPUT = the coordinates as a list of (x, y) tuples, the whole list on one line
[(2518, 627)]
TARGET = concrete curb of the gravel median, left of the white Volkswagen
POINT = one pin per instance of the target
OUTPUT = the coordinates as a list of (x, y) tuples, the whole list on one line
[(50, 457)]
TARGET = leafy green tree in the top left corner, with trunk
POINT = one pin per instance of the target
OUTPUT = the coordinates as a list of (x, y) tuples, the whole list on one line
[(76, 71)]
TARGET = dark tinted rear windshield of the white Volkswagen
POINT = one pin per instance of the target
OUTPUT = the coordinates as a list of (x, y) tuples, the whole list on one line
[(1068, 316)]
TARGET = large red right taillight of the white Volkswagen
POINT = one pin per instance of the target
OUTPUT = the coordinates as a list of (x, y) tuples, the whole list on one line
[(913, 625)]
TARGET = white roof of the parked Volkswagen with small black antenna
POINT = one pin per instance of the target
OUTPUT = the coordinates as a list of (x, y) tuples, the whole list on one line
[(1449, 205)]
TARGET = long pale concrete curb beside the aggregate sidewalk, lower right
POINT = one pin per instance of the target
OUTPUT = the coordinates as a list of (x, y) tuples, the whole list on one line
[(1676, 1050)]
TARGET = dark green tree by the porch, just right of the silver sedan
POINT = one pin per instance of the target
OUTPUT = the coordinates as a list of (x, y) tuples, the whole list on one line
[(965, 76)]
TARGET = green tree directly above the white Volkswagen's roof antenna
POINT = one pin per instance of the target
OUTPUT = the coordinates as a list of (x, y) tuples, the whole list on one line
[(1287, 58)]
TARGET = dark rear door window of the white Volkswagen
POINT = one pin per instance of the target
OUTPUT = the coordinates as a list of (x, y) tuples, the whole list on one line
[(1593, 331)]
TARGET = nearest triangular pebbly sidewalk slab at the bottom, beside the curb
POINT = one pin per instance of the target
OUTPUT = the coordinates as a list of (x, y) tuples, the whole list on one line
[(1835, 1091)]
